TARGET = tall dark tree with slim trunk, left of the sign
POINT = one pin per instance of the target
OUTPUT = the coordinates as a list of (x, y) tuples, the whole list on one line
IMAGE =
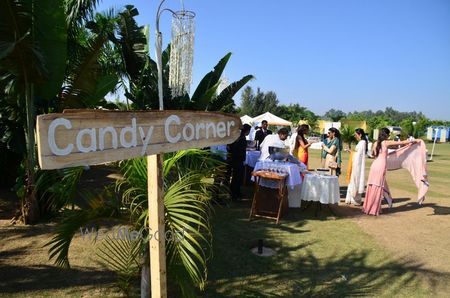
[(50, 61)]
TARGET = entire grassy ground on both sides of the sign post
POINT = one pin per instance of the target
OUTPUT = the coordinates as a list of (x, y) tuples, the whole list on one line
[(402, 253)]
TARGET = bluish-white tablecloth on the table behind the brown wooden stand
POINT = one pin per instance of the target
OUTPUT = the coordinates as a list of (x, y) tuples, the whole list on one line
[(293, 181)]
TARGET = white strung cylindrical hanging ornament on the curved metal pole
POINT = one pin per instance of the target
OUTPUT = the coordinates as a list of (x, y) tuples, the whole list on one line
[(181, 52)]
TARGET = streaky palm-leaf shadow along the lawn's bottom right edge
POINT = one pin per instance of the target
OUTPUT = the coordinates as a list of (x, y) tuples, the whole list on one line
[(308, 276)]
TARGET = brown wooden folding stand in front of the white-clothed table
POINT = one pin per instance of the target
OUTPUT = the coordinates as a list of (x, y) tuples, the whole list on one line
[(281, 205)]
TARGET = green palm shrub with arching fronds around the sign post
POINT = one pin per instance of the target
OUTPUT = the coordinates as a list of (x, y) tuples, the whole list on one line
[(188, 186)]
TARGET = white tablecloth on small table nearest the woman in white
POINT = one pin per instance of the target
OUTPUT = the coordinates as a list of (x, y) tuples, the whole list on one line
[(320, 188)]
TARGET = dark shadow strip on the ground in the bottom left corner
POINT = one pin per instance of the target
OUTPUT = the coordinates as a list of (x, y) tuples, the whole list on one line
[(17, 279)]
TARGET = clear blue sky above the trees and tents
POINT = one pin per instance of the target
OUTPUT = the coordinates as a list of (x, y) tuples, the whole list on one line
[(351, 55)]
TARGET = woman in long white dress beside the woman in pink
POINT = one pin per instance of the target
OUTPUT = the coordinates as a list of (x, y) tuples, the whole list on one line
[(356, 185)]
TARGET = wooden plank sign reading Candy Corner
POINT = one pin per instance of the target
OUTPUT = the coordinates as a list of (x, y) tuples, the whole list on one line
[(86, 137)]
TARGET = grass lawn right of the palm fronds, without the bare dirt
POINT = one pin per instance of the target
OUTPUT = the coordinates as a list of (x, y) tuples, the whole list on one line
[(328, 256)]
